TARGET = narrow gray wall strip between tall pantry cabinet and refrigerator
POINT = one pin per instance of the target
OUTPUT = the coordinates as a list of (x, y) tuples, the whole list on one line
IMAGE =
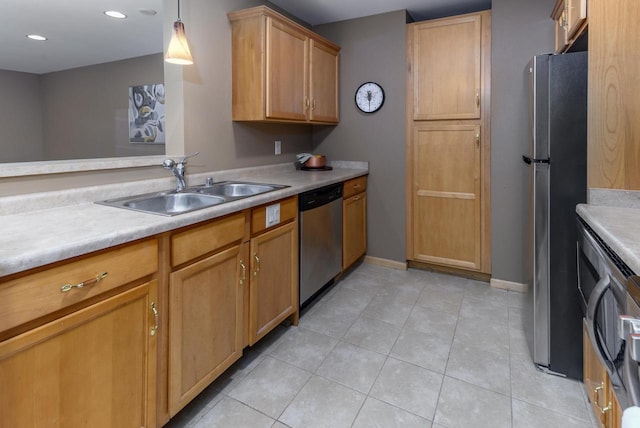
[(520, 30)]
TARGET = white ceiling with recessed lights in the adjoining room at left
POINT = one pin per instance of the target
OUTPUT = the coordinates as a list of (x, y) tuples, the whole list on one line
[(78, 33)]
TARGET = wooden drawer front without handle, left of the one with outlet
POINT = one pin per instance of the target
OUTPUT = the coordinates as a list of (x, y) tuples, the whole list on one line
[(200, 240)]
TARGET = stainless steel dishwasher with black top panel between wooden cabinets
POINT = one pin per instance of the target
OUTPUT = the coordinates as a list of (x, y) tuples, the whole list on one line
[(320, 239)]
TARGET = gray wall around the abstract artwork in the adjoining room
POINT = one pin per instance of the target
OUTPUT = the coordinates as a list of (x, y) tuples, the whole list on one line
[(86, 109)]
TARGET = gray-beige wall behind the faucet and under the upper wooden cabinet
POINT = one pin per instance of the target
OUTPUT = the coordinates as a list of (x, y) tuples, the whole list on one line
[(206, 87)]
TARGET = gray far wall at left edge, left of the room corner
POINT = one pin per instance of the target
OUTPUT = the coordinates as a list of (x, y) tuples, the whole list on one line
[(20, 117)]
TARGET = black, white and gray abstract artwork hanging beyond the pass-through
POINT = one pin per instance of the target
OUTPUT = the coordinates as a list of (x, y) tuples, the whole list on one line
[(146, 114)]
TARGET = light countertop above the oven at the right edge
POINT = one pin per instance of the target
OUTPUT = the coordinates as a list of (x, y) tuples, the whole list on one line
[(618, 227)]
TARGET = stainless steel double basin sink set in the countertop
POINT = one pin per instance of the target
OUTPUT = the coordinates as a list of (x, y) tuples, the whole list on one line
[(172, 202)]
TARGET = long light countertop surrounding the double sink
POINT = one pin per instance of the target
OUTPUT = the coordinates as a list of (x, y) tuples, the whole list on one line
[(46, 228)]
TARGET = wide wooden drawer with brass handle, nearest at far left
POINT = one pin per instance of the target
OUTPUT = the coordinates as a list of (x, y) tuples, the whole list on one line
[(35, 295)]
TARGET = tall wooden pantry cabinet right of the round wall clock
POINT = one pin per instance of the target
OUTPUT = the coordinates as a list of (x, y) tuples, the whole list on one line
[(448, 142)]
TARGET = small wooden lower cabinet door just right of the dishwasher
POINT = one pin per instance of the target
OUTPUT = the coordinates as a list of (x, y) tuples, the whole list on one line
[(354, 226)]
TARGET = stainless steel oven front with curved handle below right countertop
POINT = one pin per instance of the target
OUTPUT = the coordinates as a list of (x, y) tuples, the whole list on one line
[(602, 278)]
